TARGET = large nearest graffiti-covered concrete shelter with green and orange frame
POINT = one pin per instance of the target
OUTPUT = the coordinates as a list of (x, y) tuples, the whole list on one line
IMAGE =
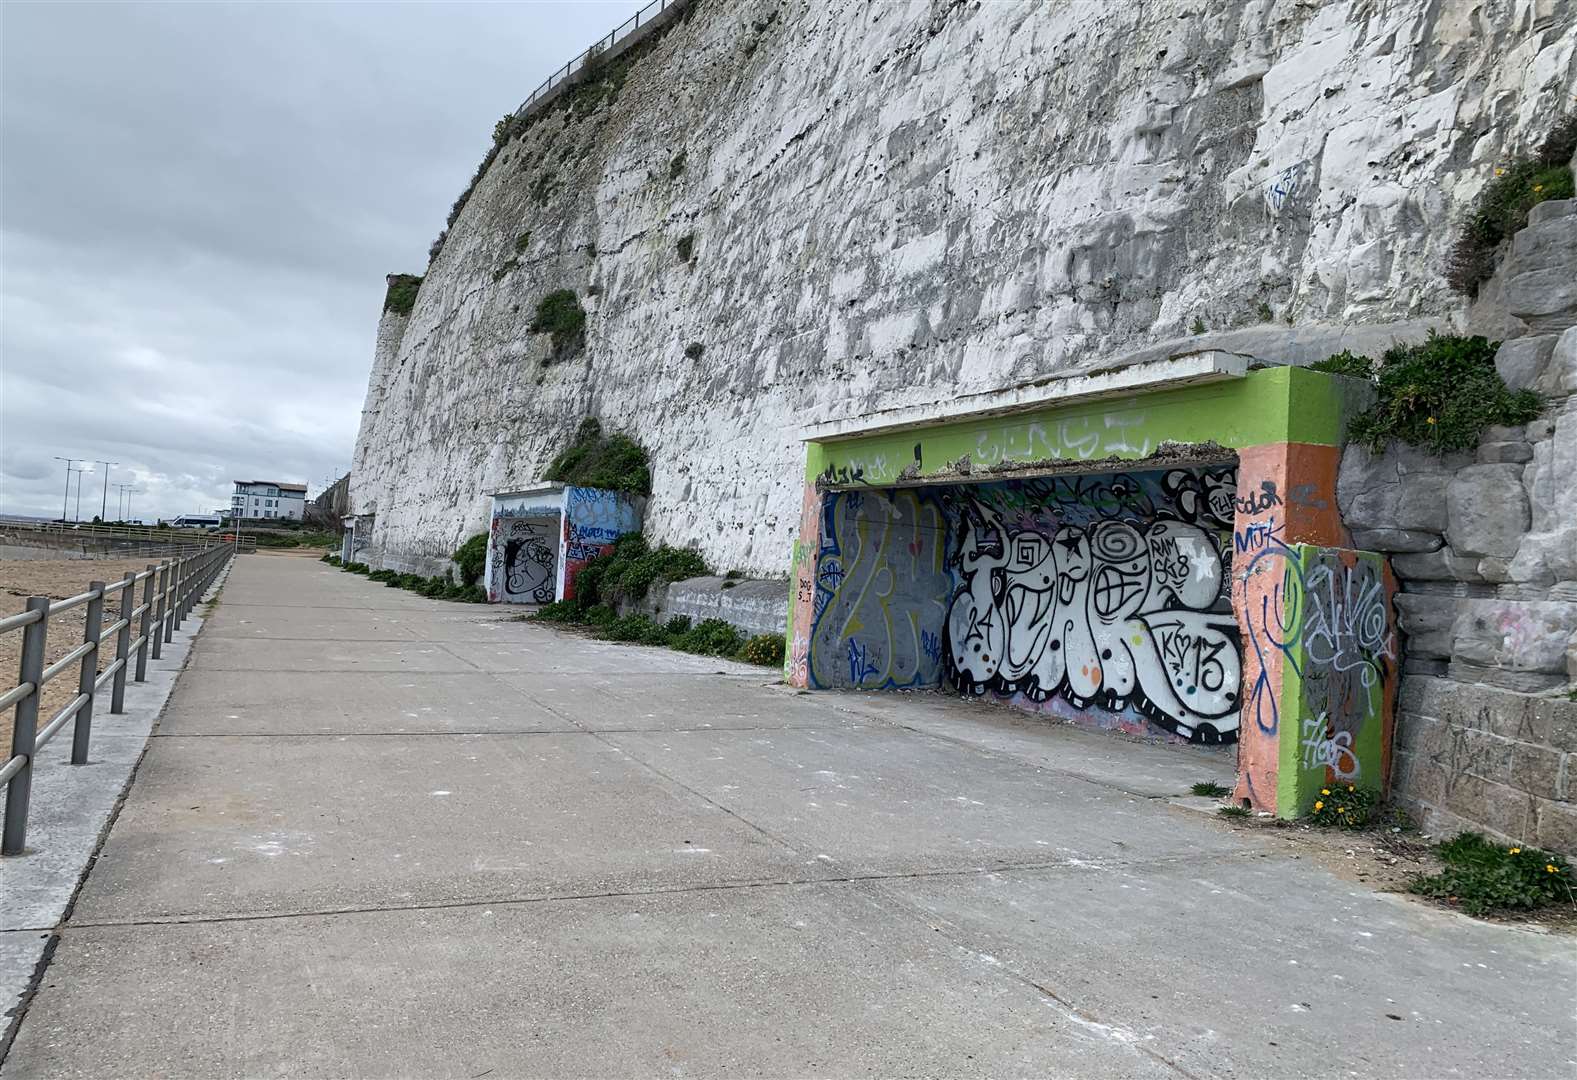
[(1154, 549)]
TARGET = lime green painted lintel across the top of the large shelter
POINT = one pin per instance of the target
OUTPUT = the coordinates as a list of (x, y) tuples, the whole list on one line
[(1269, 406)]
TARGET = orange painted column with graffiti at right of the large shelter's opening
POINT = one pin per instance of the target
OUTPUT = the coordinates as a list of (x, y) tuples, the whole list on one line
[(1286, 497)]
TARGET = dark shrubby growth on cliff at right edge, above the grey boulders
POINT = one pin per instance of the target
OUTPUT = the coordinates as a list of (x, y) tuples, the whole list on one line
[(1502, 209)]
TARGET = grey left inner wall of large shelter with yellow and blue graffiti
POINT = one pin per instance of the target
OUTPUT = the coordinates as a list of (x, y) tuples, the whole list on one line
[(882, 587)]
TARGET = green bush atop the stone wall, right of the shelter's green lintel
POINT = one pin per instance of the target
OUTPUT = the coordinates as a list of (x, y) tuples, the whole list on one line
[(1439, 395)]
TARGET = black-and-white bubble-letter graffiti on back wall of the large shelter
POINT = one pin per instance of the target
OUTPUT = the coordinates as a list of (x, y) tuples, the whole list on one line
[(1108, 592)]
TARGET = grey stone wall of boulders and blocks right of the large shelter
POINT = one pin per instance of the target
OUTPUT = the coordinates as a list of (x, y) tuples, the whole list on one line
[(1485, 548)]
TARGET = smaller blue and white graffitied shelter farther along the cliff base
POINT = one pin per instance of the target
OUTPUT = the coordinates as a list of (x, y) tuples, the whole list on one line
[(539, 538)]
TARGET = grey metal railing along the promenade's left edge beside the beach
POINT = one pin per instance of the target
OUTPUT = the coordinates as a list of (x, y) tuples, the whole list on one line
[(170, 592)]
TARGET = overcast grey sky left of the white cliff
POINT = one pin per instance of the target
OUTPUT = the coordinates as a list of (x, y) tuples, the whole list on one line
[(199, 206)]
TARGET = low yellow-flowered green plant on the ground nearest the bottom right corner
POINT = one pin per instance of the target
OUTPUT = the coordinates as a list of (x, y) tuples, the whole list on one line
[(1486, 877)]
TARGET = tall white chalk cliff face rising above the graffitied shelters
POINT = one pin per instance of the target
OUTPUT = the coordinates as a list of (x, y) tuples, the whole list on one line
[(898, 203)]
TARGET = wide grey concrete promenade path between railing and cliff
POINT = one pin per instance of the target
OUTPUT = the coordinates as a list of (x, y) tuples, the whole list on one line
[(384, 836)]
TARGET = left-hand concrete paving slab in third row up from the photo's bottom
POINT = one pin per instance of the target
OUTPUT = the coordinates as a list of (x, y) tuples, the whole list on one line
[(351, 704)]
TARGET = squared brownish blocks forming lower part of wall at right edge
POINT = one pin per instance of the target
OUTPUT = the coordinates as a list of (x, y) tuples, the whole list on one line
[(1488, 759)]
